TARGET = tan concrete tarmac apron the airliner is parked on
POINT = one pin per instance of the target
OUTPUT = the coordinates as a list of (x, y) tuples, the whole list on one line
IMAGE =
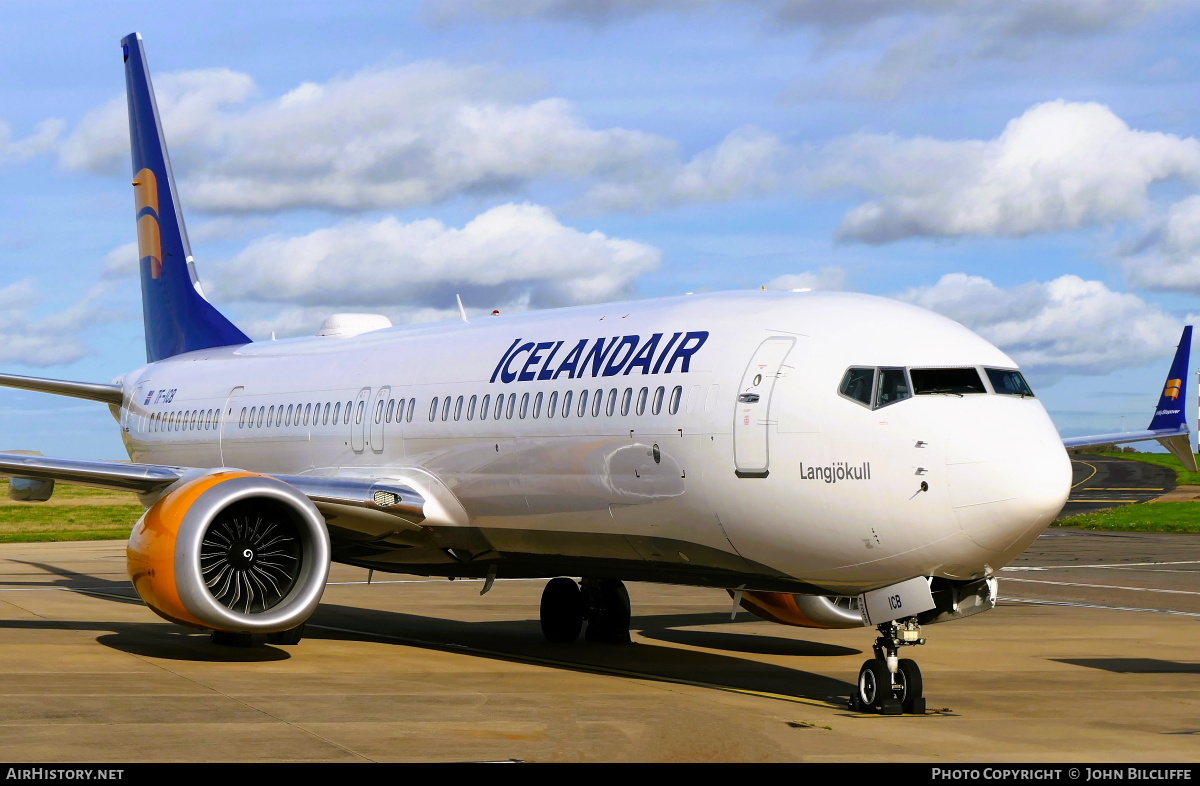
[(1094, 657)]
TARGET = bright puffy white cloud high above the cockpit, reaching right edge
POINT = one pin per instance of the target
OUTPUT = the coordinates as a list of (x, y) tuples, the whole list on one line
[(1059, 166)]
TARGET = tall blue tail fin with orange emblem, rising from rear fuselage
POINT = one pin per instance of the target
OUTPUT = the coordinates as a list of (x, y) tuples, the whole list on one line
[(178, 317)]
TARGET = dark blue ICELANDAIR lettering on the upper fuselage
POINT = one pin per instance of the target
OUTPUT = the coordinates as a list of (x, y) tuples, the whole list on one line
[(529, 361)]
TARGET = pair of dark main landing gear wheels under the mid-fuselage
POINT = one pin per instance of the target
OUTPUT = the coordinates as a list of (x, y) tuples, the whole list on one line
[(602, 603)]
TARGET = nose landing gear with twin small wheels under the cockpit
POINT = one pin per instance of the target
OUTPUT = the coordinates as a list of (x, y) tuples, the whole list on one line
[(890, 685)]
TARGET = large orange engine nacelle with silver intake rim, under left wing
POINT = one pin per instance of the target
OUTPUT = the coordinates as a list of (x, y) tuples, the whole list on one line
[(232, 551)]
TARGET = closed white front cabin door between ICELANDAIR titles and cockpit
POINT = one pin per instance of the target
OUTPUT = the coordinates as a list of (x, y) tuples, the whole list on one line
[(752, 416)]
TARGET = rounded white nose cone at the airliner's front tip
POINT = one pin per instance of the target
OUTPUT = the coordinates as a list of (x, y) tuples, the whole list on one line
[(1009, 476)]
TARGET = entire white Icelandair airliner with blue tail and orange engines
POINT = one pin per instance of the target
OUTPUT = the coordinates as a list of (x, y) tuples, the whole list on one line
[(832, 460)]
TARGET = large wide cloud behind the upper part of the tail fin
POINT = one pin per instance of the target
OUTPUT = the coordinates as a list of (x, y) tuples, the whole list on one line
[(379, 139)]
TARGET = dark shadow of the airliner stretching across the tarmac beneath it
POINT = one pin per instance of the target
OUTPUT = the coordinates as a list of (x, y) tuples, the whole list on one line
[(514, 640)]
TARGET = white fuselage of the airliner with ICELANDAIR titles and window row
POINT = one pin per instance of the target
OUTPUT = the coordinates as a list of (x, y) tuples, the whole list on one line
[(742, 465)]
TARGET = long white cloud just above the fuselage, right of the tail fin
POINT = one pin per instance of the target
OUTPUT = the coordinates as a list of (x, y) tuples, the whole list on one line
[(512, 254)]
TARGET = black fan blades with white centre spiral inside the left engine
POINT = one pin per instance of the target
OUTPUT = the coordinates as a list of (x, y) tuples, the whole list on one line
[(250, 562)]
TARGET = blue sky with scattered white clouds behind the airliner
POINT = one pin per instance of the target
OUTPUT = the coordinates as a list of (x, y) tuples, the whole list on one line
[(1030, 169)]
